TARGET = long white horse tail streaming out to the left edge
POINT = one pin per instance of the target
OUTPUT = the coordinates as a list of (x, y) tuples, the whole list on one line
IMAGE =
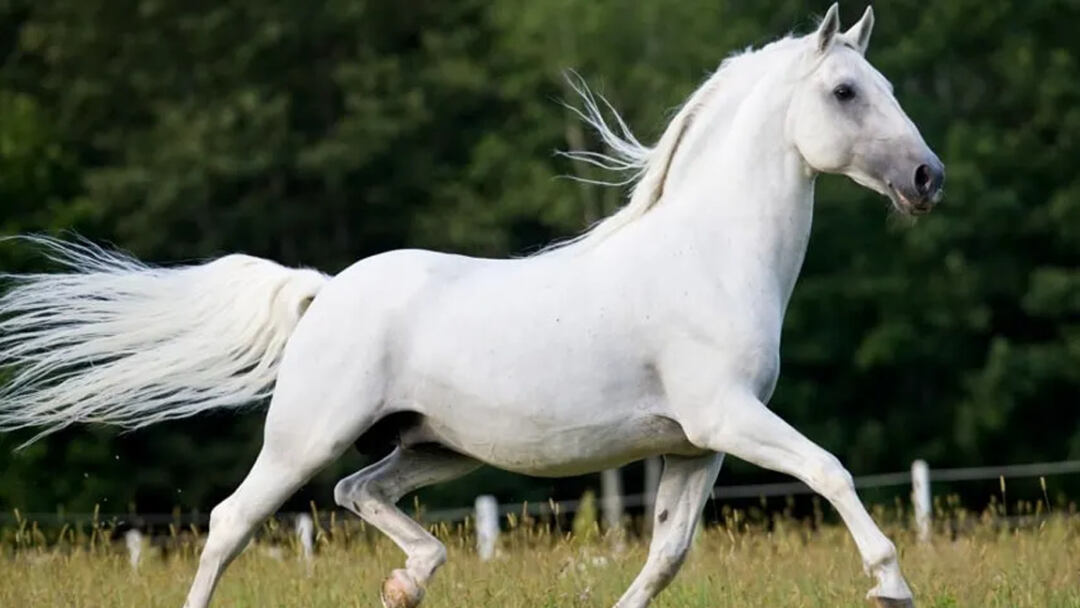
[(118, 342)]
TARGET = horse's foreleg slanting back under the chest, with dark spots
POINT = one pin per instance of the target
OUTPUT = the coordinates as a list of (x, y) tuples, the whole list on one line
[(685, 487)]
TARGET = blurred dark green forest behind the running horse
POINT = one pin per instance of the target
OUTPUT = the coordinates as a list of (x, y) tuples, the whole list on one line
[(320, 132)]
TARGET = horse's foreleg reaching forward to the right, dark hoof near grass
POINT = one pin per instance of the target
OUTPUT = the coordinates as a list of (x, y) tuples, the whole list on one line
[(745, 428)]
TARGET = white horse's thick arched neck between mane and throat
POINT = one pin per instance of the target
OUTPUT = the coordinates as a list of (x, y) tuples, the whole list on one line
[(745, 200)]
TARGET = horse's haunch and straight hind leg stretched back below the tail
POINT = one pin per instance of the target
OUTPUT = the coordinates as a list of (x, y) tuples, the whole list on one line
[(329, 394)]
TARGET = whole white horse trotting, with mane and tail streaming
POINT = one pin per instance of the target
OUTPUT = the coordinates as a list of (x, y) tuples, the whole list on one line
[(656, 333)]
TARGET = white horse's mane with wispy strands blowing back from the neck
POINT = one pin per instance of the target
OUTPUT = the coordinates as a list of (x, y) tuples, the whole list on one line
[(650, 169)]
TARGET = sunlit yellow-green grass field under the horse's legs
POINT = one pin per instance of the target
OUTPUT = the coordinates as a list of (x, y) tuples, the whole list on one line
[(735, 565)]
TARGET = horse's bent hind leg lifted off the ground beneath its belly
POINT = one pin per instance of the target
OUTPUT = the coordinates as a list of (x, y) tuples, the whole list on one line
[(372, 494)]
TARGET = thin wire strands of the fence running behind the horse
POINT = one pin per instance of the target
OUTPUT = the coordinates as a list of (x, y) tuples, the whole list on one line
[(552, 508)]
